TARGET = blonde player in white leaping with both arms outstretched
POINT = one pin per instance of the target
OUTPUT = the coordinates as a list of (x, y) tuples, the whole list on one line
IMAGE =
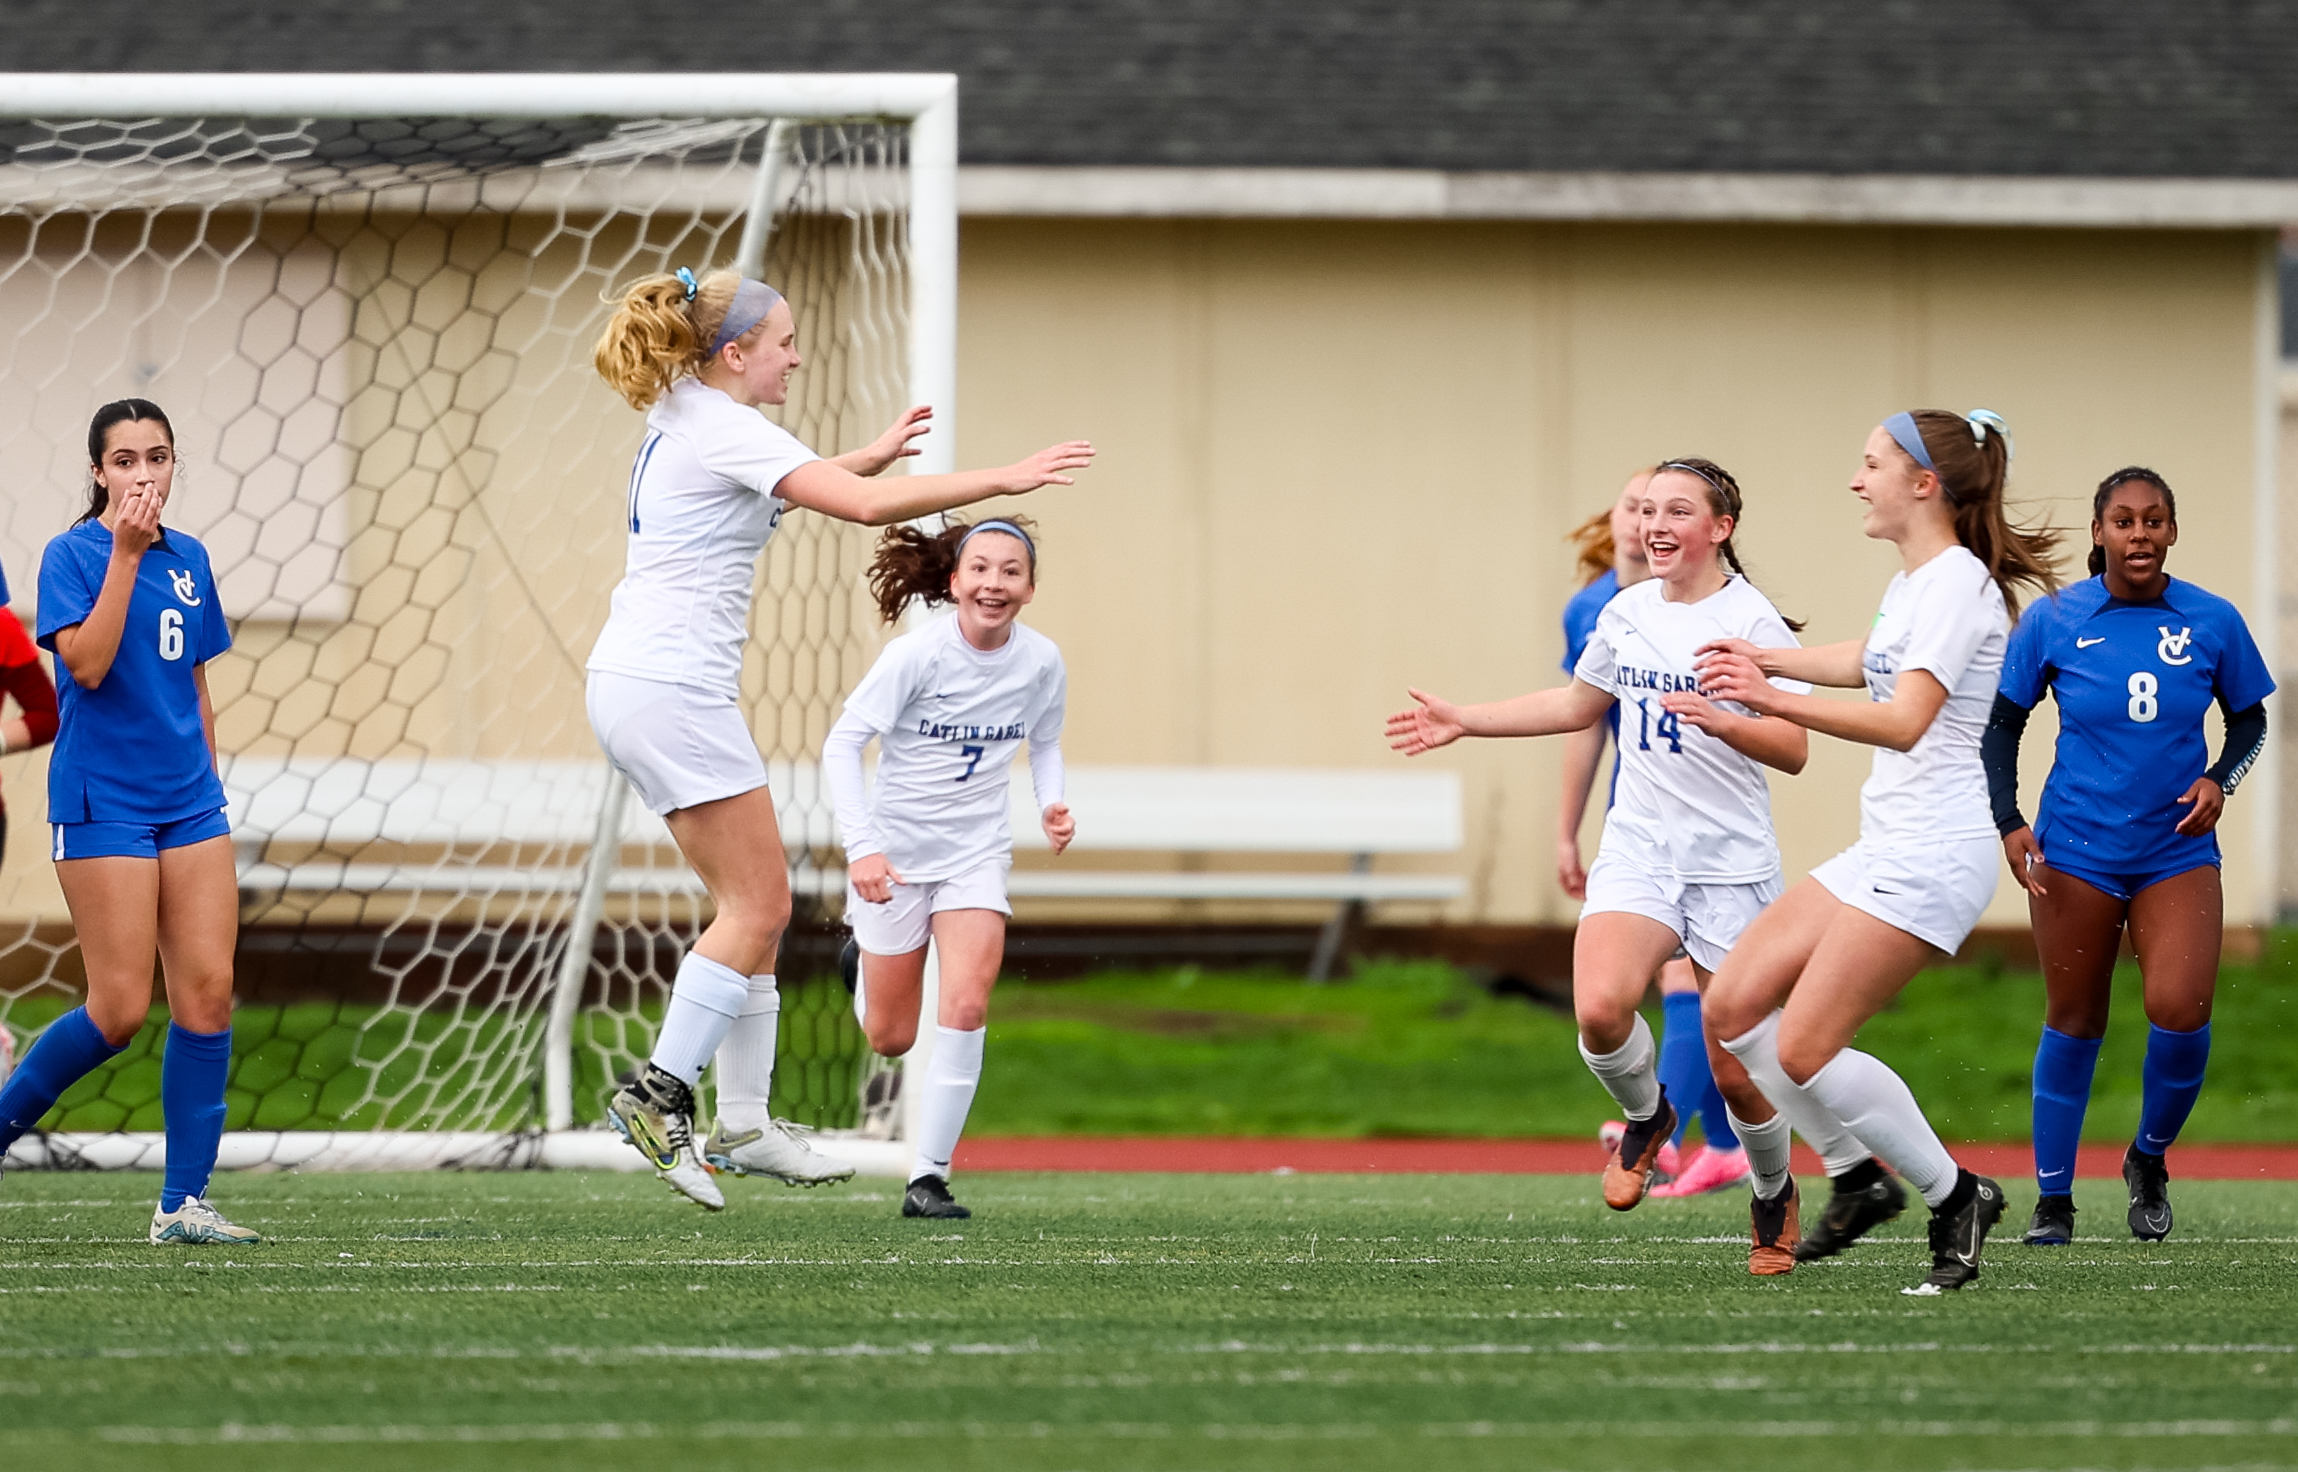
[(709, 486)]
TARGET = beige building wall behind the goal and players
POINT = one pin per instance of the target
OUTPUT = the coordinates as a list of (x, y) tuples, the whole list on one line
[(1336, 460)]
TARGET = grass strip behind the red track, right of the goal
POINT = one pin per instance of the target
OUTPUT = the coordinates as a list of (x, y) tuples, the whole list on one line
[(1417, 1048)]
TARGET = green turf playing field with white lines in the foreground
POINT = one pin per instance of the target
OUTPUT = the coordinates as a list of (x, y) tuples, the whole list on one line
[(1113, 1322)]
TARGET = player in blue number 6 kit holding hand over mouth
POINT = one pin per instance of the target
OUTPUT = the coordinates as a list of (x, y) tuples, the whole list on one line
[(137, 809)]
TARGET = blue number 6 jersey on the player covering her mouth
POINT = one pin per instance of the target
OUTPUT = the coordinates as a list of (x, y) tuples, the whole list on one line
[(134, 750)]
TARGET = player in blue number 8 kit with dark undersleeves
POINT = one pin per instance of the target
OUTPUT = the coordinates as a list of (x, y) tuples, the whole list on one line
[(2129, 828)]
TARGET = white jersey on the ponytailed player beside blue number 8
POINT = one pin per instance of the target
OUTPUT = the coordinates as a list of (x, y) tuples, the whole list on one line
[(1950, 621)]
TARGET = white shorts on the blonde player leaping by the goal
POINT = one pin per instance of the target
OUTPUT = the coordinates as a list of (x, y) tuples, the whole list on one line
[(674, 743)]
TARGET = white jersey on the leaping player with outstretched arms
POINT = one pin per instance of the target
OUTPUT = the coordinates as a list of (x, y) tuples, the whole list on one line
[(702, 509)]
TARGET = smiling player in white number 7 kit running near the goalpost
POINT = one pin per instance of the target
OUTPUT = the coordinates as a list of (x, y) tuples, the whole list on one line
[(927, 851)]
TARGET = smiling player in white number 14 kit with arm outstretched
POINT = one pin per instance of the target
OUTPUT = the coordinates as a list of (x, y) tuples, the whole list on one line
[(1688, 855)]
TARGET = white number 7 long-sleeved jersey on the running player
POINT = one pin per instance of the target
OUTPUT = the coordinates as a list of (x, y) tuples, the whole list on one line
[(948, 722)]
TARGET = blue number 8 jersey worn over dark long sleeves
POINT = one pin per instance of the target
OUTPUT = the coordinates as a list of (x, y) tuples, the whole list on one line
[(2134, 685)]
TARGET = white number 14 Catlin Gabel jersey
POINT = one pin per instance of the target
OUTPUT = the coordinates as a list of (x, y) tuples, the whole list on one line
[(1688, 803)]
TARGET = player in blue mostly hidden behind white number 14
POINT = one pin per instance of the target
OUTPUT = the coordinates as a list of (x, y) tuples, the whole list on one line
[(1612, 557)]
